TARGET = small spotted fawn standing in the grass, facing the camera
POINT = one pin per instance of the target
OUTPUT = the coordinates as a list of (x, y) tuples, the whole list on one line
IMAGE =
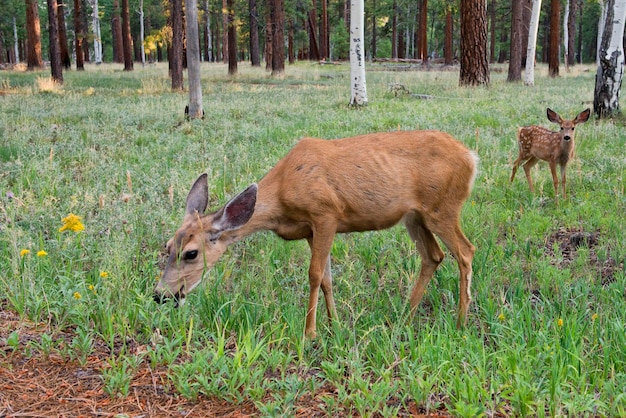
[(538, 143)]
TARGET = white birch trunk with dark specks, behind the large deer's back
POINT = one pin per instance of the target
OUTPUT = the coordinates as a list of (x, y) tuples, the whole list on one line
[(357, 54)]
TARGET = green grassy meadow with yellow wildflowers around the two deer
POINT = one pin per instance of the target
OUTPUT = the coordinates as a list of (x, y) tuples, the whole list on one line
[(546, 334)]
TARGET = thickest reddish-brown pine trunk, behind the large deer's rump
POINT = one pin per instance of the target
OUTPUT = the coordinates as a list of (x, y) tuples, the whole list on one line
[(474, 63)]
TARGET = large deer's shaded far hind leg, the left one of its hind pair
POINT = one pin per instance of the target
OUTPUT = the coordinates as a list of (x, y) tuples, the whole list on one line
[(430, 253)]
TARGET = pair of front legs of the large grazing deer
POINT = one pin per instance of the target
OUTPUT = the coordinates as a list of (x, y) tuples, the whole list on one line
[(319, 276)]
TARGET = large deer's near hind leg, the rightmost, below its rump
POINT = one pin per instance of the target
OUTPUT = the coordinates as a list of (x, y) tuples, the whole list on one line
[(449, 230)]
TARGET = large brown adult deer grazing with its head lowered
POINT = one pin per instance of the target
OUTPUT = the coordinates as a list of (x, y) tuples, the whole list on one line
[(323, 187)]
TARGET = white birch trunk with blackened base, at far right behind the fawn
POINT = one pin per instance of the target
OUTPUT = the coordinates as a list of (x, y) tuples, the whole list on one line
[(611, 68)]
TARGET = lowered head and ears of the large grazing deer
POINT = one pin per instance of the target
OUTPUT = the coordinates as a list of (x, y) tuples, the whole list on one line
[(198, 244)]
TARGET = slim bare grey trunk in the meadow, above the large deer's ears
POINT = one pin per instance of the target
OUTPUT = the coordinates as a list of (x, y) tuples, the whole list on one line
[(193, 60)]
